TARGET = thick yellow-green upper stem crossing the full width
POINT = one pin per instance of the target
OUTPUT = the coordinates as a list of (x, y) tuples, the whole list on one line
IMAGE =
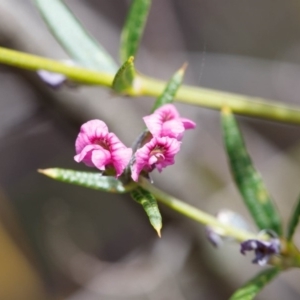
[(239, 104)]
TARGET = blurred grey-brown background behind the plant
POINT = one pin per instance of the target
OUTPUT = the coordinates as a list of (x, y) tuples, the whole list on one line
[(63, 242)]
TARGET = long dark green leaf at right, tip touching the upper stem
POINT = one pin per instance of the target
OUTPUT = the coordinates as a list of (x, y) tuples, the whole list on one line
[(248, 180)]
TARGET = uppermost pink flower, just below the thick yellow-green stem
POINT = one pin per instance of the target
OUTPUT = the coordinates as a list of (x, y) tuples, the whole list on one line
[(166, 121)]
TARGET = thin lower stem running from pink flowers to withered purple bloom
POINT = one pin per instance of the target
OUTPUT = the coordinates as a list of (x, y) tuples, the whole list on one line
[(194, 213)]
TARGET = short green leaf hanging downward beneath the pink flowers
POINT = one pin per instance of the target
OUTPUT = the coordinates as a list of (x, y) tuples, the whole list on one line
[(149, 203)]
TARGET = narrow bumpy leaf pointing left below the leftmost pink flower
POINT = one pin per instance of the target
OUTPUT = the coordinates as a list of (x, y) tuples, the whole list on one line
[(88, 179)]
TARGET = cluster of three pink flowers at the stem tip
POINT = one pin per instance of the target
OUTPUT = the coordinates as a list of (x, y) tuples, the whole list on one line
[(97, 147)]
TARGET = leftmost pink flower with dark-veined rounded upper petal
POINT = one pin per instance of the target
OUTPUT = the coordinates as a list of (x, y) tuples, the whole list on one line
[(97, 147)]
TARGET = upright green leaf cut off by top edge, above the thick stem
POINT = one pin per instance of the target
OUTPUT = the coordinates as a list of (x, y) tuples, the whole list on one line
[(134, 28)]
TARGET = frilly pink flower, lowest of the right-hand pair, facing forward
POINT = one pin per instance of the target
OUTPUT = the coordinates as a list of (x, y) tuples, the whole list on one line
[(158, 153)]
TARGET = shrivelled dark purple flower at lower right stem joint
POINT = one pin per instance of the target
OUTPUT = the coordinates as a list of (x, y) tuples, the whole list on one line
[(263, 249)]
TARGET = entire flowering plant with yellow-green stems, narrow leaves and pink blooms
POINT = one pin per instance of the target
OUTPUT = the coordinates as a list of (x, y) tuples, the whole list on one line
[(120, 169)]
